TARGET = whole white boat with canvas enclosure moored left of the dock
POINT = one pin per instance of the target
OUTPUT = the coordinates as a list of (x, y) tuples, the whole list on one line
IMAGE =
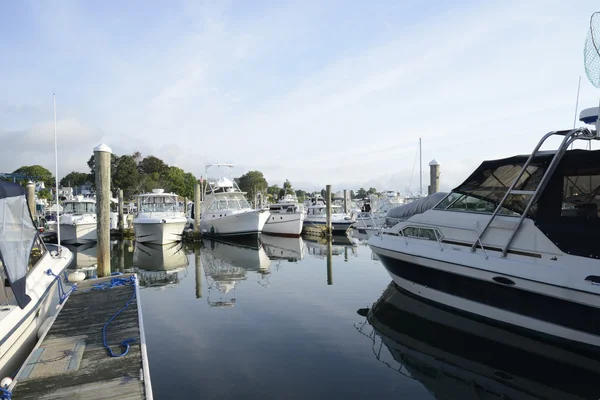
[(28, 292)]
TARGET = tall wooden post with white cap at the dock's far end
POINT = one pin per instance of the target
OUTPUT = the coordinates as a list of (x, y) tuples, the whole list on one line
[(102, 156)]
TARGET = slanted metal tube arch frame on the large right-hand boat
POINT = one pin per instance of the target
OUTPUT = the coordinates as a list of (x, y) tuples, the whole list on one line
[(569, 137)]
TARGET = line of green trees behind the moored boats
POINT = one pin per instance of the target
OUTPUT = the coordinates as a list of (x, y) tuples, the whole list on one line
[(135, 174)]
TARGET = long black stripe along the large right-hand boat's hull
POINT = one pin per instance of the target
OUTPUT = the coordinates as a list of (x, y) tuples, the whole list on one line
[(510, 298)]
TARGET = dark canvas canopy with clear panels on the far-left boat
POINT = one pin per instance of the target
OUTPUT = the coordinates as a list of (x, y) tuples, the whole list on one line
[(17, 235)]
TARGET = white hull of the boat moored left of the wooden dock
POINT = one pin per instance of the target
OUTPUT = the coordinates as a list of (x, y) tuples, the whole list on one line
[(18, 329)]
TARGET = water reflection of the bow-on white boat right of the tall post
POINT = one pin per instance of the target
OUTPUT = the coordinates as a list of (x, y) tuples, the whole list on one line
[(159, 265)]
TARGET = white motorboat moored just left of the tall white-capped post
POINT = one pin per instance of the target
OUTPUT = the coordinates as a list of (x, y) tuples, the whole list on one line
[(78, 221)]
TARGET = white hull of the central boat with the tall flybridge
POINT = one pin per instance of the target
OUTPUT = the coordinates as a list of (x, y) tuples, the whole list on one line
[(244, 223)]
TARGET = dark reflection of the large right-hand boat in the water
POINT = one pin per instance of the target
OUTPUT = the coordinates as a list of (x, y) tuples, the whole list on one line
[(456, 357)]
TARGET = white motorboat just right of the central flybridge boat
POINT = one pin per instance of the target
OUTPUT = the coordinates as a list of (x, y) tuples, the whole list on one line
[(287, 217)]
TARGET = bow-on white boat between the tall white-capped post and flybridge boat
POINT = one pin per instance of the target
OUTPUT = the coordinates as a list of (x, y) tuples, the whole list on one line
[(160, 219)]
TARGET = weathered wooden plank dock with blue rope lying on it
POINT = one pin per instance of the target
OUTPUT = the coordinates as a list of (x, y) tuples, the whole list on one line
[(70, 361)]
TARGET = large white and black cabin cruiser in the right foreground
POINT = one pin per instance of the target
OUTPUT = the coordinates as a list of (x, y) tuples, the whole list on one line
[(516, 242)]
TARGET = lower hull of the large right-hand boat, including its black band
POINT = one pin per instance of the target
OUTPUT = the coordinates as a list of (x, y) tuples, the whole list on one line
[(535, 312)]
